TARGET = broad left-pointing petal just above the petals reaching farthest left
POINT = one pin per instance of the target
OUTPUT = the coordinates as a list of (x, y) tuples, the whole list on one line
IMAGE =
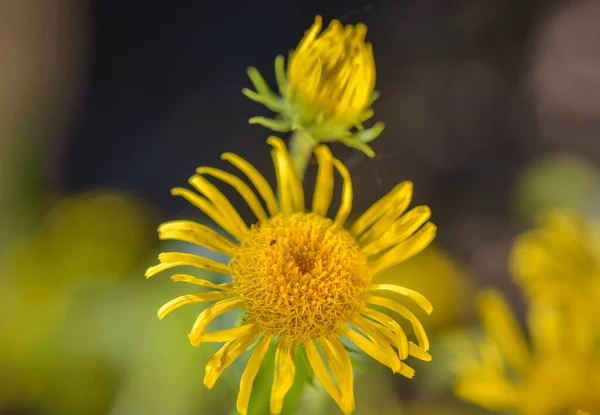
[(193, 232)]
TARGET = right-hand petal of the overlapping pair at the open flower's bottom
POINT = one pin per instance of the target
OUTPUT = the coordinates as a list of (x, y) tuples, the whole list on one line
[(341, 367)]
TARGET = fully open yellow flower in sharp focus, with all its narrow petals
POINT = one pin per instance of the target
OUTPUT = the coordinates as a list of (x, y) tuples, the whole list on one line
[(302, 279)]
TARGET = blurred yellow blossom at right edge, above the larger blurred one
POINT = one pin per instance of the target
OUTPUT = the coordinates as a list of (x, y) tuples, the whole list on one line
[(559, 262)]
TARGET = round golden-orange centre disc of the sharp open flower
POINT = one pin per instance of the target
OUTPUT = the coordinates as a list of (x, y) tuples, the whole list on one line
[(300, 276)]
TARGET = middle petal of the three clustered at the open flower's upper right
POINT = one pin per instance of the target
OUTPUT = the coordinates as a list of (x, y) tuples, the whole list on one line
[(404, 227)]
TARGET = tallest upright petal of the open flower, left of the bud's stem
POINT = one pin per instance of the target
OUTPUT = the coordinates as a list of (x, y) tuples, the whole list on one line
[(287, 172)]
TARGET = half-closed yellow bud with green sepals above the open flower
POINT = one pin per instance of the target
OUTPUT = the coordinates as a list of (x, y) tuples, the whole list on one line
[(328, 88)]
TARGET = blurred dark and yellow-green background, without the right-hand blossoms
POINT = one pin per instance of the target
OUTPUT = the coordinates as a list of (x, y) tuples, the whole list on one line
[(492, 110)]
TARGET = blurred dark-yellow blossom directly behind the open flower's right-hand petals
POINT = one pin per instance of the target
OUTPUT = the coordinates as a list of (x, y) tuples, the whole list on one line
[(440, 278)]
